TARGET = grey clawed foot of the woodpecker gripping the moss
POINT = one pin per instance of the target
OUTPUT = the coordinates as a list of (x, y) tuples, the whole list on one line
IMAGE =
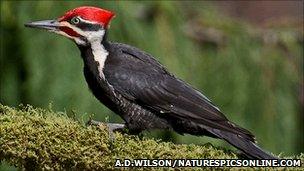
[(111, 127)]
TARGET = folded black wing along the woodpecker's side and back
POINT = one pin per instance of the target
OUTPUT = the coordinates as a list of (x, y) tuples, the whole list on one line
[(139, 77)]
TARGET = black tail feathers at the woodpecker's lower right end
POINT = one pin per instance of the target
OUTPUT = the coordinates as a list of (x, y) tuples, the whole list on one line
[(249, 148)]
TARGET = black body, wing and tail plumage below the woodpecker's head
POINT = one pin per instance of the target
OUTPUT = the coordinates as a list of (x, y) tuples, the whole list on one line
[(147, 96)]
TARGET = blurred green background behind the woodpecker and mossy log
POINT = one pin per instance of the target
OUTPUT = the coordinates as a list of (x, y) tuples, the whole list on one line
[(247, 62)]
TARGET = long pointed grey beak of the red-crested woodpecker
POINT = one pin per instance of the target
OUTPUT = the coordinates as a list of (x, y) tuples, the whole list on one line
[(51, 25)]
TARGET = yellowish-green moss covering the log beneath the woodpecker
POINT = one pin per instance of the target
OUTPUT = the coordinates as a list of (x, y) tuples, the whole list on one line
[(34, 138)]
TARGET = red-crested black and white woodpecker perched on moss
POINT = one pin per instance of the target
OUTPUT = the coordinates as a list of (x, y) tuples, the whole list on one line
[(137, 87)]
